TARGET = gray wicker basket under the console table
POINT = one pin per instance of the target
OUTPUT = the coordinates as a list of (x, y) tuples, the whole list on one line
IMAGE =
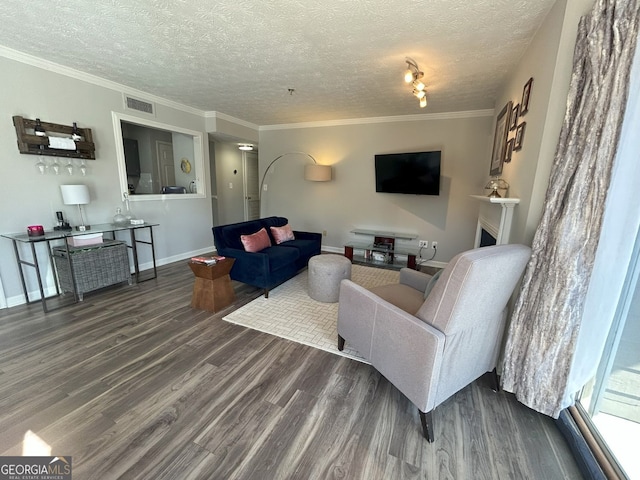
[(94, 266)]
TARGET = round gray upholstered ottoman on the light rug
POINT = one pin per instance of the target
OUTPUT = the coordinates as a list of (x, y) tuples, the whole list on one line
[(325, 273)]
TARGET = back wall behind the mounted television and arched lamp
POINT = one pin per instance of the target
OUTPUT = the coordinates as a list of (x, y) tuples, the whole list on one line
[(350, 200)]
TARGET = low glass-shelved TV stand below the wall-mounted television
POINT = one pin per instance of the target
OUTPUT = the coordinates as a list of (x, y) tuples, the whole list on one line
[(380, 248)]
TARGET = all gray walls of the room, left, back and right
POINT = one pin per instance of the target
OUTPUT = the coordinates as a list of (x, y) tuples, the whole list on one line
[(347, 202)]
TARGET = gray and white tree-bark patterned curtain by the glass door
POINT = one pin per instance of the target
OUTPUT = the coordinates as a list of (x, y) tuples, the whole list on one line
[(544, 327)]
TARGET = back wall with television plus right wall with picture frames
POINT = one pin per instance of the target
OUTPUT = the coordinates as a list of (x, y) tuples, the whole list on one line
[(350, 200)]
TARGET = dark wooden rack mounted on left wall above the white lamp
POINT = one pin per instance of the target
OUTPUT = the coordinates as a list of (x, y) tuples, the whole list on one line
[(34, 145)]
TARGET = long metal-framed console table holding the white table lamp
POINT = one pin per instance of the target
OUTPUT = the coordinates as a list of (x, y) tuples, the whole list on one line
[(60, 237)]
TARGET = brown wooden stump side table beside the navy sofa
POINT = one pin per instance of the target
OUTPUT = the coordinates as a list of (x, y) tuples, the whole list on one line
[(212, 289)]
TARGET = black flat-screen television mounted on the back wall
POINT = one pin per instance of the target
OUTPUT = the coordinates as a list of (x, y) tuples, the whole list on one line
[(415, 173)]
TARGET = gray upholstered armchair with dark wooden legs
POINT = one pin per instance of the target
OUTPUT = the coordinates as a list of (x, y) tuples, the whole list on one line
[(432, 347)]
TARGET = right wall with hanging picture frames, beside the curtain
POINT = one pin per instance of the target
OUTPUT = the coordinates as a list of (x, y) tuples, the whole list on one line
[(549, 61)]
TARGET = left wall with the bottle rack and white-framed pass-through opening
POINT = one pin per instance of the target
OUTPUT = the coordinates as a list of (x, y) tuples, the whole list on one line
[(29, 198)]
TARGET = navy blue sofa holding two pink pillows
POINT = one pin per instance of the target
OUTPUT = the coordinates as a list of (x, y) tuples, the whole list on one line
[(271, 266)]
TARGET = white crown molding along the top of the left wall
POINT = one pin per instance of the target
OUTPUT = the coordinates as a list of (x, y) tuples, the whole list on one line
[(93, 79)]
